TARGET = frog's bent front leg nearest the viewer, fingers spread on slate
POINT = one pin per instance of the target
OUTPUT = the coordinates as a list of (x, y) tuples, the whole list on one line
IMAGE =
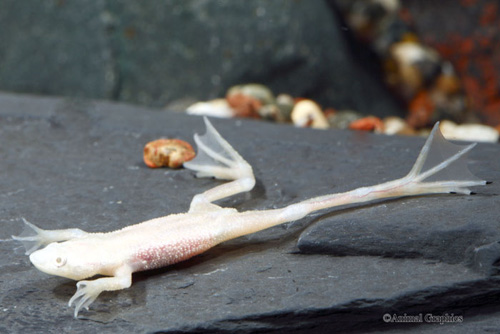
[(88, 291)]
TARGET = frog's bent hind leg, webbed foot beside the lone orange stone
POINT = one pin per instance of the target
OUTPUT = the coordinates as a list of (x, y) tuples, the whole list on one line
[(217, 158)]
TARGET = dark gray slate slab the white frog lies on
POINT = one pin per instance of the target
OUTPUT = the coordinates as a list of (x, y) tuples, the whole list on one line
[(78, 163)]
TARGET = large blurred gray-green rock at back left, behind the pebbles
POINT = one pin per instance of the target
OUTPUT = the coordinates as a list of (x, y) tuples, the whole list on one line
[(154, 53)]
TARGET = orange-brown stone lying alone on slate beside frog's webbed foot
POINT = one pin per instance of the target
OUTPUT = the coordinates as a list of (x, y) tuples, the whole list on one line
[(167, 153)]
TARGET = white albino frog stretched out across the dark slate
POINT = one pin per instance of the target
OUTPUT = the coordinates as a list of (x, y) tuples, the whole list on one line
[(75, 254)]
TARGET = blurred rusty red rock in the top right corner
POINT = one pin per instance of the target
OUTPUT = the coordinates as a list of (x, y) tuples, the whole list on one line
[(469, 39)]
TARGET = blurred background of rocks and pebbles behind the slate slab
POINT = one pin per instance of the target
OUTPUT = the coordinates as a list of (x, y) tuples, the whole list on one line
[(361, 62)]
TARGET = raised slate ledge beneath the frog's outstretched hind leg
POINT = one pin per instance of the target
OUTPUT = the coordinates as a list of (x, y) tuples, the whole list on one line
[(459, 229)]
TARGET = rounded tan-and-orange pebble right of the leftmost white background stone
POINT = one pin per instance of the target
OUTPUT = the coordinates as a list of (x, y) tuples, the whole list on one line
[(246, 100)]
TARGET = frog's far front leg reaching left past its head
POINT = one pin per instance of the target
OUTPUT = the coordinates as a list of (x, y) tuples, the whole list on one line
[(34, 237)]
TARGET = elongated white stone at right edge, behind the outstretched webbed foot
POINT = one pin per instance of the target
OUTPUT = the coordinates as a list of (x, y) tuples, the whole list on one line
[(469, 132)]
